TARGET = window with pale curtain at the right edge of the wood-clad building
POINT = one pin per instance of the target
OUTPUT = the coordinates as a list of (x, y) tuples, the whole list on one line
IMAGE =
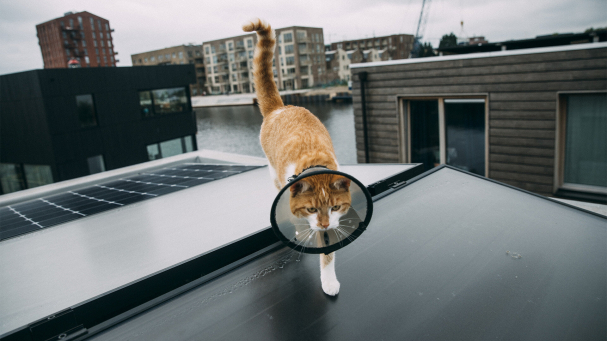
[(583, 142)]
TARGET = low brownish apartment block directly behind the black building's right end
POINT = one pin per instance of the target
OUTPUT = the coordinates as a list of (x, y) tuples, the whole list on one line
[(176, 55)]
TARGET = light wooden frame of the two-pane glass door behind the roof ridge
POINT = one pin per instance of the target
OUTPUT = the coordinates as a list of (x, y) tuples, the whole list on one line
[(404, 123)]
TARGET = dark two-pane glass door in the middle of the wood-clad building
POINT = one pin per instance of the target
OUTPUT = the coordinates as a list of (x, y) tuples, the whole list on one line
[(447, 131)]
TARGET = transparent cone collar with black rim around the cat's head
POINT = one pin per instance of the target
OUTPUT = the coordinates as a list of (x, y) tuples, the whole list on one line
[(344, 211)]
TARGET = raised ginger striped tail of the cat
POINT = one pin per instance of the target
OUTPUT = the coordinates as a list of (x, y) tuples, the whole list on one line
[(267, 93)]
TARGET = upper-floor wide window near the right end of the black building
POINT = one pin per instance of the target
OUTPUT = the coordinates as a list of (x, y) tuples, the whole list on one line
[(163, 101)]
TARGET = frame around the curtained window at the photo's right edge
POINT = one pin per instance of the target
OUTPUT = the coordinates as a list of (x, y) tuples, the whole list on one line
[(559, 146)]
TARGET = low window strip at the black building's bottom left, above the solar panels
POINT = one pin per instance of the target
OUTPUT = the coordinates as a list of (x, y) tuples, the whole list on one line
[(16, 177)]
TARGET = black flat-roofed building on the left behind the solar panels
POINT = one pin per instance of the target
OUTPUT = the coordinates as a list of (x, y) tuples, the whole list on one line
[(61, 124)]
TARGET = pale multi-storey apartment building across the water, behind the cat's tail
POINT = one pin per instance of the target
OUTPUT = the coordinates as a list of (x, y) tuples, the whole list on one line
[(298, 61)]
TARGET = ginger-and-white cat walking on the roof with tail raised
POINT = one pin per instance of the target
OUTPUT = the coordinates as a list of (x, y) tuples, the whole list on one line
[(293, 139)]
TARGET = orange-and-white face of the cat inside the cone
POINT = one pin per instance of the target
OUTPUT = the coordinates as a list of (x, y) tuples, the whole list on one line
[(321, 199)]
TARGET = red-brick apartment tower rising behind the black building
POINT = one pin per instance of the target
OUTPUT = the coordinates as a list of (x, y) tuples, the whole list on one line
[(82, 36)]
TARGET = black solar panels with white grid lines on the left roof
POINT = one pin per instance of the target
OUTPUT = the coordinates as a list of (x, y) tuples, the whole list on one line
[(44, 212)]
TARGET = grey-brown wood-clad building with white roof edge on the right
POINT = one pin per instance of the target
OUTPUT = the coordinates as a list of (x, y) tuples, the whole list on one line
[(531, 118)]
